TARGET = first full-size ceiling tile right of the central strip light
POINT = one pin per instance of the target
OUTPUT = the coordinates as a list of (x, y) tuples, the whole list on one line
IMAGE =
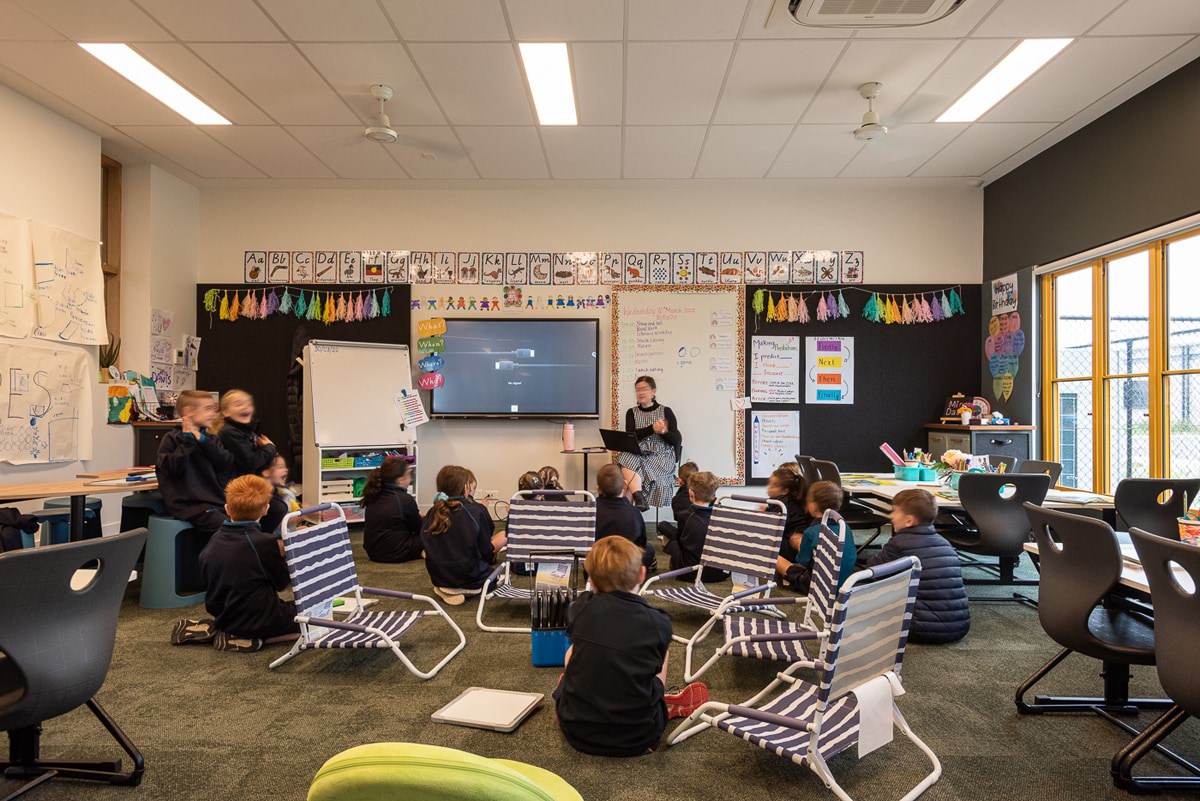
[(675, 83)]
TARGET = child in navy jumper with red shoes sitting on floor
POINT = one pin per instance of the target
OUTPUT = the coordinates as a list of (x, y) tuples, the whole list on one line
[(611, 698)]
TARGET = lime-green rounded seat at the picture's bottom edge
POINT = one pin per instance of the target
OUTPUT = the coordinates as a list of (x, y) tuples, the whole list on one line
[(404, 772)]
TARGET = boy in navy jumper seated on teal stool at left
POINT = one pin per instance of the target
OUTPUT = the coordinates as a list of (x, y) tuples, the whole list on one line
[(194, 466)]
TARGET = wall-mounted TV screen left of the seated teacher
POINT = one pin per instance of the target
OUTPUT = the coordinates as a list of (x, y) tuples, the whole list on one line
[(520, 369)]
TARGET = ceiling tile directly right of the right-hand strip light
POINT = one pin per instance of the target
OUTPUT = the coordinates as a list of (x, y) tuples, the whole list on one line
[(1082, 75)]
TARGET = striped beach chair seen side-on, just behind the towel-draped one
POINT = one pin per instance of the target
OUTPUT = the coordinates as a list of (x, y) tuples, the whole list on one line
[(763, 639)]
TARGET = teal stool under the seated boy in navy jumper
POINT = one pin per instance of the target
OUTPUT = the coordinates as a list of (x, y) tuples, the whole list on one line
[(170, 570)]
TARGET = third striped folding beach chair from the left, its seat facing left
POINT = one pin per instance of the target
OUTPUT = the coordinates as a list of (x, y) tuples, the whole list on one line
[(741, 541)]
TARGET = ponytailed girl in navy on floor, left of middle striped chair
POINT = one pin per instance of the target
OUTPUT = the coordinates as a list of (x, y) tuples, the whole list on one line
[(458, 550)]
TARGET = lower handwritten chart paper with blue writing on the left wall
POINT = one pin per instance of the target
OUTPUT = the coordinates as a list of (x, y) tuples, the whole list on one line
[(46, 396)]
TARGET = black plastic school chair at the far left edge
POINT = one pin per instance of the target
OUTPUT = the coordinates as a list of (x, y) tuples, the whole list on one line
[(56, 646)]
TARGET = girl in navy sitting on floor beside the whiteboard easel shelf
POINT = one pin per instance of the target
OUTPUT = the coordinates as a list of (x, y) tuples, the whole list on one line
[(393, 531)]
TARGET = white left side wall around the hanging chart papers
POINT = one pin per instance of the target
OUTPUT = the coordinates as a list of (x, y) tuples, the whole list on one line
[(51, 171)]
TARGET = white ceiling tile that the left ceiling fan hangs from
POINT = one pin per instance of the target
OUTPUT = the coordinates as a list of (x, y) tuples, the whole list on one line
[(353, 69)]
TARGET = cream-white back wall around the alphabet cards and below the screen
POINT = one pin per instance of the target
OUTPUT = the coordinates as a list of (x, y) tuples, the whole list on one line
[(909, 236)]
